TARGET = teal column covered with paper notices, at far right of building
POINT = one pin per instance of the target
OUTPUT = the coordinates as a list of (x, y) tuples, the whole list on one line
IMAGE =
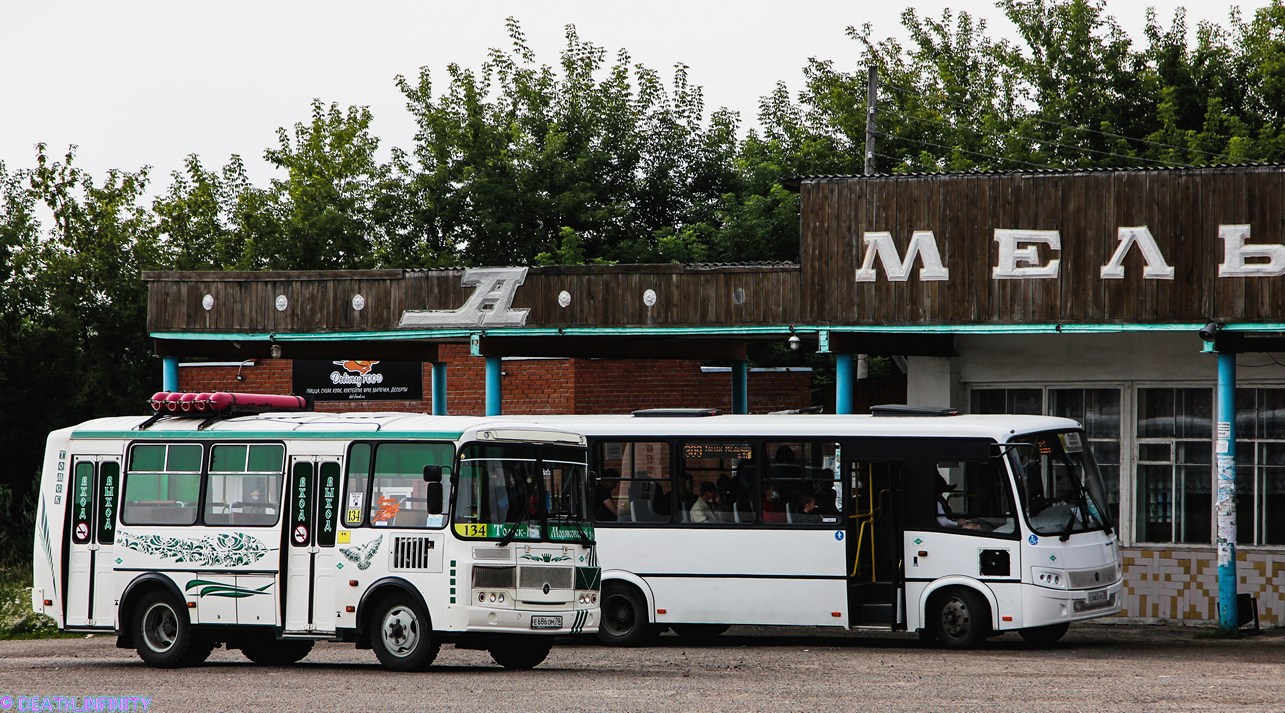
[(1225, 450)]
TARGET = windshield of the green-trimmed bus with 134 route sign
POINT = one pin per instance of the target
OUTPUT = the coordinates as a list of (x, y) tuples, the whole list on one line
[(518, 489)]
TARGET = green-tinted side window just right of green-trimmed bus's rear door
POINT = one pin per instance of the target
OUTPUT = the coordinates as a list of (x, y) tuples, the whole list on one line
[(163, 485)]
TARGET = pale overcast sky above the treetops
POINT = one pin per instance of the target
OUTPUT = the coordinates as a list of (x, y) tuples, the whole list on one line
[(147, 83)]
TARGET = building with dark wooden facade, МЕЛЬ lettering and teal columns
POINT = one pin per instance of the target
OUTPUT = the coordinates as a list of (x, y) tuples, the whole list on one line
[(1111, 297)]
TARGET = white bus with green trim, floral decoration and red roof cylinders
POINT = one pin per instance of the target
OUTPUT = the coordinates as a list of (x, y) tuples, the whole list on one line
[(265, 534)]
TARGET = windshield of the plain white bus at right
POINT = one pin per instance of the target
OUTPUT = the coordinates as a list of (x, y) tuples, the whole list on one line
[(1062, 491)]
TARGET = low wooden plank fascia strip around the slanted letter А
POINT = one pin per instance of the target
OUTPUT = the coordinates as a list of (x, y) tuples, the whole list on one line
[(602, 296)]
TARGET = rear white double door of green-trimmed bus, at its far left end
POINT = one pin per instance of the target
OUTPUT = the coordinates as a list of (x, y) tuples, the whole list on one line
[(93, 500)]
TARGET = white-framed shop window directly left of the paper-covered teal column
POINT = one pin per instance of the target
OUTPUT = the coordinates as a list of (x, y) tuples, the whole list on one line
[(1175, 472)]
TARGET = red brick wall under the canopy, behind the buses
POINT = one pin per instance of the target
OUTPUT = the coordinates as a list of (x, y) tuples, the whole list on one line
[(542, 386)]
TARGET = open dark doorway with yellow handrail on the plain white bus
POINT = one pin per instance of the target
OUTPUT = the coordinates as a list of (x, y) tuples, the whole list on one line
[(874, 543)]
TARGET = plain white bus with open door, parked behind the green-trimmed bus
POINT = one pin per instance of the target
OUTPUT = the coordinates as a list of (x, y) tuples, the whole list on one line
[(954, 527)]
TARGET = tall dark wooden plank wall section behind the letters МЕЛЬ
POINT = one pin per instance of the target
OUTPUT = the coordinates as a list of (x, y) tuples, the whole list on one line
[(1183, 209)]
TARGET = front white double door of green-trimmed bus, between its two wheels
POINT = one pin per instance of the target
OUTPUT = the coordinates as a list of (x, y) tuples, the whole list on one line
[(310, 538)]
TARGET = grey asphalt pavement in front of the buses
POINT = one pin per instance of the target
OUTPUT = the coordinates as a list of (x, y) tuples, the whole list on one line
[(1097, 669)]
